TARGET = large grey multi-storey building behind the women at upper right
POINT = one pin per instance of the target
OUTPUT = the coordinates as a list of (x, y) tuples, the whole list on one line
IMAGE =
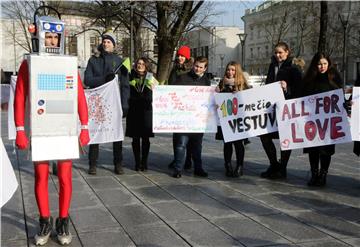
[(297, 23)]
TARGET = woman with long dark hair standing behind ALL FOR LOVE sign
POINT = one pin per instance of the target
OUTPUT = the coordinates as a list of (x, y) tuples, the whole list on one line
[(320, 77)]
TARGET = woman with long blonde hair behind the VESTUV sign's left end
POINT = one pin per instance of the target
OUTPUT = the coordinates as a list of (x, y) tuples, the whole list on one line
[(233, 81)]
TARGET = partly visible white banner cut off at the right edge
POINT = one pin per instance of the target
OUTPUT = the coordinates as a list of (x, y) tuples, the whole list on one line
[(355, 114)]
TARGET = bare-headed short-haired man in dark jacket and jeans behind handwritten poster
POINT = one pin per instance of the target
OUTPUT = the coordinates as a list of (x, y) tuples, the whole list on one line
[(194, 77)]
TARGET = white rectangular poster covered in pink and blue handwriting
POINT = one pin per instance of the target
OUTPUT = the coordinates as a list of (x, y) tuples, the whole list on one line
[(184, 109)]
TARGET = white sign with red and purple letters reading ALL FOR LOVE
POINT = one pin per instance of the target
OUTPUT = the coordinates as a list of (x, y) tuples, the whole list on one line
[(315, 120)]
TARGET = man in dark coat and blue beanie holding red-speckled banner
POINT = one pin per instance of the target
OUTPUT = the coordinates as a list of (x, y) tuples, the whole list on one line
[(101, 69)]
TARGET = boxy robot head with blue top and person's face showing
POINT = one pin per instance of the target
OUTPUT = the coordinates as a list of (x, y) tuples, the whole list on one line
[(48, 34)]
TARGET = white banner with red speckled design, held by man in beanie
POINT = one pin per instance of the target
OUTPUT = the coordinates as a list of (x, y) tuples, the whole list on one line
[(105, 113)]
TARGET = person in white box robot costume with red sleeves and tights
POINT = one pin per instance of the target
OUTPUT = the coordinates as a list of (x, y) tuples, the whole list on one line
[(50, 95)]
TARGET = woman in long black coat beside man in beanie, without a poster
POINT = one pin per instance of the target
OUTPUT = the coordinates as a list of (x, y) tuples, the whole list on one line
[(139, 118)]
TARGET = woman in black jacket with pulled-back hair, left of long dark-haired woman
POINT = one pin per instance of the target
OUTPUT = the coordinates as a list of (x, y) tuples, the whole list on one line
[(281, 69)]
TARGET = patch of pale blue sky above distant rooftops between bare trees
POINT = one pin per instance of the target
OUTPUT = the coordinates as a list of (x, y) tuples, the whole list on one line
[(232, 12)]
